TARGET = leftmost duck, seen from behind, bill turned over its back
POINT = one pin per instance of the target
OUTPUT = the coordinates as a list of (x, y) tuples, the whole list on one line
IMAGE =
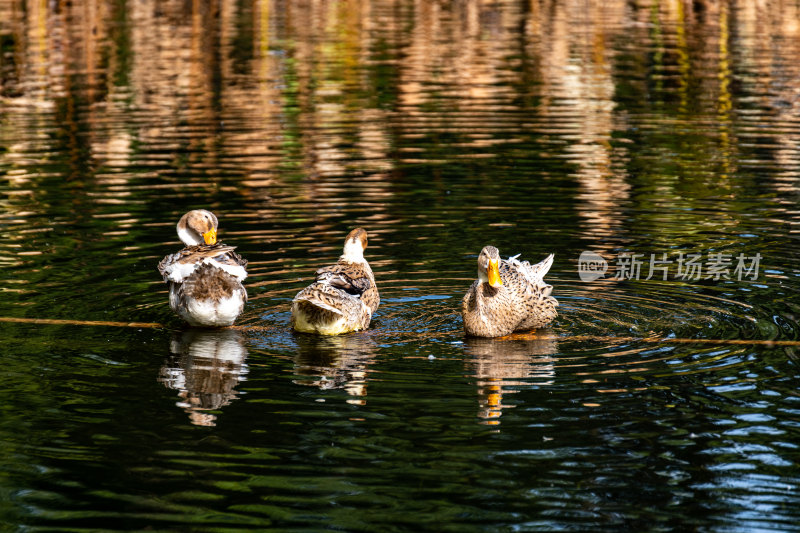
[(205, 278)]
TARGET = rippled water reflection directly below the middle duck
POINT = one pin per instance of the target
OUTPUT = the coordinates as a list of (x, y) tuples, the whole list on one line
[(340, 362)]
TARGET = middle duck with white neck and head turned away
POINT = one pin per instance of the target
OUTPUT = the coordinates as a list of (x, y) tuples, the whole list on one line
[(343, 296)]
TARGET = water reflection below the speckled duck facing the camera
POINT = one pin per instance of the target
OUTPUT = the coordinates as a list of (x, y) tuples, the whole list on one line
[(501, 366)]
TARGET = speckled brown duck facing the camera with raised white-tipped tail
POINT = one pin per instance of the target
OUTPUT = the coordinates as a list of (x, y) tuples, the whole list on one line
[(508, 296)]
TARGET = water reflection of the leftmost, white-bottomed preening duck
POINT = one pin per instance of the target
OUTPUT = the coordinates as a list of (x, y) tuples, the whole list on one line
[(205, 367)]
